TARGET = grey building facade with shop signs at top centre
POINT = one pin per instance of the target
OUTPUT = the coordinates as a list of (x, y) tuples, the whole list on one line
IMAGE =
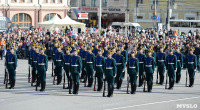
[(112, 11)]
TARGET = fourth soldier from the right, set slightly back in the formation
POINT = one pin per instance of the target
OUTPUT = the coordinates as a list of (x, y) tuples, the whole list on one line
[(161, 61)]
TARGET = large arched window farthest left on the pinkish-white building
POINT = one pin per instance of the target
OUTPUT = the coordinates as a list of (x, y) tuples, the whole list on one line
[(21, 19)]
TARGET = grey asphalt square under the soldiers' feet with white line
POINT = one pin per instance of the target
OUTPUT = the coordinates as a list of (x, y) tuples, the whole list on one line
[(24, 97)]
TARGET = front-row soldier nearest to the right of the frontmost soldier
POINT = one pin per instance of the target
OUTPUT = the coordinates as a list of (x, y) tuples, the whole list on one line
[(133, 69)]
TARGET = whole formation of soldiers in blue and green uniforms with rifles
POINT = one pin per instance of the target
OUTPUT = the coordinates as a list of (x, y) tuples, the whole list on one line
[(105, 62)]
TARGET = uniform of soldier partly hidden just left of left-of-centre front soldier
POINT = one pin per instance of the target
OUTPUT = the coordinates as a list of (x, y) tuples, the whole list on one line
[(67, 61)]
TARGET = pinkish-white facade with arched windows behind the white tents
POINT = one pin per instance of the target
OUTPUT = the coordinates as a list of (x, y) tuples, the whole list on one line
[(26, 13)]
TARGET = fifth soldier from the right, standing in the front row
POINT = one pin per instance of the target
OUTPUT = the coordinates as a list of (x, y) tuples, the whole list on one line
[(149, 69)]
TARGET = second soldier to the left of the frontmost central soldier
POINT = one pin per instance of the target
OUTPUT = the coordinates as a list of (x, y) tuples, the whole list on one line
[(90, 63)]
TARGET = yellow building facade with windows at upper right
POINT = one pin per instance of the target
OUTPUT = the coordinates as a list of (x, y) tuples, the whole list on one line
[(181, 9)]
